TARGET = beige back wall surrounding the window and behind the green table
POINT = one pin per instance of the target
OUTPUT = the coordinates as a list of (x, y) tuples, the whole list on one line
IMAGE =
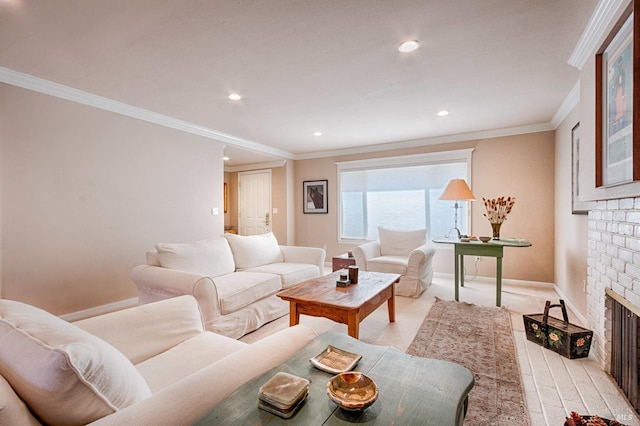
[(520, 166)]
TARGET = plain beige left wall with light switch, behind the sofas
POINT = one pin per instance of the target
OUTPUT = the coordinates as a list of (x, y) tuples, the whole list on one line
[(84, 193)]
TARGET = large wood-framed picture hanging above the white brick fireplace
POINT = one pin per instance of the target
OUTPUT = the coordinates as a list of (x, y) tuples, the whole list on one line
[(617, 149)]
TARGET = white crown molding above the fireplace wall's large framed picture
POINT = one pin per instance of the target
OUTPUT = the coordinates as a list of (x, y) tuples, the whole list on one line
[(605, 15)]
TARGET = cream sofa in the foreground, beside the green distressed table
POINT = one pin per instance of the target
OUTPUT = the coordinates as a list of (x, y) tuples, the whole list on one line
[(149, 365)]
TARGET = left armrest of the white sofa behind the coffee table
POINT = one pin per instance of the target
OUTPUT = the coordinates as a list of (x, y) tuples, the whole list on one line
[(156, 283)]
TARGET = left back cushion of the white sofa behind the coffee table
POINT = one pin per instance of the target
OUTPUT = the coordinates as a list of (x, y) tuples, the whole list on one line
[(210, 257)]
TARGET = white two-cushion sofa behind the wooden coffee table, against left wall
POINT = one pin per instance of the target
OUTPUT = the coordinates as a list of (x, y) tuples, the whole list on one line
[(234, 278)]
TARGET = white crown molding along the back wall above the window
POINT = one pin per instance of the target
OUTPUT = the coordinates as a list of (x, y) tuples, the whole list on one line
[(461, 137)]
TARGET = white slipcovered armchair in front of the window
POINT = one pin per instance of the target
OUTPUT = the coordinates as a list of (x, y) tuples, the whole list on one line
[(408, 253)]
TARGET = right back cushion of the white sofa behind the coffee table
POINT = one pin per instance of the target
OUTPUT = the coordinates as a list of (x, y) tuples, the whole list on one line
[(254, 250)]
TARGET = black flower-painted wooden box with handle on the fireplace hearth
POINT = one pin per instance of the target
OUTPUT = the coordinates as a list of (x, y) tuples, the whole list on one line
[(569, 340)]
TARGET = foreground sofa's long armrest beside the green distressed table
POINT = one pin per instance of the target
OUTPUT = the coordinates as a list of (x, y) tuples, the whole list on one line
[(190, 399)]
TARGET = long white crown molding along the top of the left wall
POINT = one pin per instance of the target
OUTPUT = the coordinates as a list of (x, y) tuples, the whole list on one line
[(61, 91)]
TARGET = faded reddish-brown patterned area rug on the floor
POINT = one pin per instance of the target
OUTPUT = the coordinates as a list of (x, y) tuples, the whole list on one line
[(481, 339)]
